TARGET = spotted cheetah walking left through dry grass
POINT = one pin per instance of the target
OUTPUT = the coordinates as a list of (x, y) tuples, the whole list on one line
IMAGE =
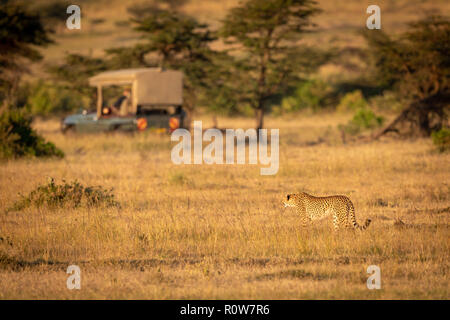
[(315, 208)]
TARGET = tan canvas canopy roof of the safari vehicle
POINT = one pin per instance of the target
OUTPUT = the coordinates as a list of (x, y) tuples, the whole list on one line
[(150, 86)]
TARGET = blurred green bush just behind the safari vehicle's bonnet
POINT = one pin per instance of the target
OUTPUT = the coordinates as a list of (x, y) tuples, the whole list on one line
[(45, 99)]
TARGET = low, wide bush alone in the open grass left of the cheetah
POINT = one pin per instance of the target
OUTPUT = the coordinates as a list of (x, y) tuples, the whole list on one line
[(66, 195)]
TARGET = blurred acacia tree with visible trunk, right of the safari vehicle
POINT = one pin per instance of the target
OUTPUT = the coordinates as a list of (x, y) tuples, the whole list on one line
[(267, 33)]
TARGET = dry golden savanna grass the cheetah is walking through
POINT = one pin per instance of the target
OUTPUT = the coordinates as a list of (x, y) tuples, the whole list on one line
[(220, 231)]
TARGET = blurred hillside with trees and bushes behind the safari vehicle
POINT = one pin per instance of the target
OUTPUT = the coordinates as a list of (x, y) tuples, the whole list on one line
[(246, 58)]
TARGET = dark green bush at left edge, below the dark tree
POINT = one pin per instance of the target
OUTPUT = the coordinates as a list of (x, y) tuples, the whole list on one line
[(18, 139)]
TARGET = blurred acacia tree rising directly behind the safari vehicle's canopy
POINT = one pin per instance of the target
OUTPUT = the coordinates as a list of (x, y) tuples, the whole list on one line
[(182, 43)]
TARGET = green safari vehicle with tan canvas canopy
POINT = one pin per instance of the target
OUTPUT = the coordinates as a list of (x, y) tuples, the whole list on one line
[(155, 102)]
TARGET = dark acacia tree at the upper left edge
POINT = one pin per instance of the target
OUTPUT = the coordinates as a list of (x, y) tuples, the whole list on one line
[(20, 33)]
